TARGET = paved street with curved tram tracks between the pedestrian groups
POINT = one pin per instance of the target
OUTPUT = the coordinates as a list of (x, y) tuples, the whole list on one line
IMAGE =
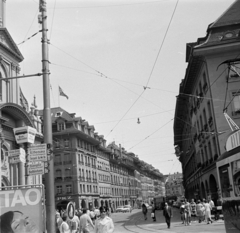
[(134, 222)]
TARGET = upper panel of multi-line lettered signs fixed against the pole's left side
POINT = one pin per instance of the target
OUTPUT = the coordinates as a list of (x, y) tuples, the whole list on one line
[(37, 152)]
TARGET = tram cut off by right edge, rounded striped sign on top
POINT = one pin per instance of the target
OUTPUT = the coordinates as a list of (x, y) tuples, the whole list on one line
[(228, 170)]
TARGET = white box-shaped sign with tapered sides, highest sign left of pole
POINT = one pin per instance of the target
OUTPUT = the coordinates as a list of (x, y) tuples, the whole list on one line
[(25, 134)]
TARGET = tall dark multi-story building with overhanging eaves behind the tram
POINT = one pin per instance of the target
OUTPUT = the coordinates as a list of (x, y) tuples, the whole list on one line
[(209, 91)]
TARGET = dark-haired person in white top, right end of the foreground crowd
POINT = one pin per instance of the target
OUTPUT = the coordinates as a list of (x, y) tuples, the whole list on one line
[(104, 224)]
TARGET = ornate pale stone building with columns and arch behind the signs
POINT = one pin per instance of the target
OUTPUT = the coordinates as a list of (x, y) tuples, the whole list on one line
[(14, 109)]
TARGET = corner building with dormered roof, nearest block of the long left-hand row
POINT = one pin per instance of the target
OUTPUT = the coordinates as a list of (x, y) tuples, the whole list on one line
[(75, 160)]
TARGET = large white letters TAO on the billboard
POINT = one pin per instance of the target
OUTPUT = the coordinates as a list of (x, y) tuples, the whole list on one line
[(13, 197)]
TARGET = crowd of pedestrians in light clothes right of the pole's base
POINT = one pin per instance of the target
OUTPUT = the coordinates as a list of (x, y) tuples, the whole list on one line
[(98, 219)]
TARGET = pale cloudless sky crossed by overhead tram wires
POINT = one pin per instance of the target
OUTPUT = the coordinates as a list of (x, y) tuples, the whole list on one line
[(117, 61)]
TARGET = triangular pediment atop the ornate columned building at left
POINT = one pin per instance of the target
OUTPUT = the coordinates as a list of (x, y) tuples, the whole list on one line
[(8, 44)]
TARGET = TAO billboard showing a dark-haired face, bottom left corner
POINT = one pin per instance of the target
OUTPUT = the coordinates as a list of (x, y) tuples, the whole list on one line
[(21, 210)]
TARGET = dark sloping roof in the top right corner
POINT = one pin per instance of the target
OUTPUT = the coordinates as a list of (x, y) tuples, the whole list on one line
[(229, 17)]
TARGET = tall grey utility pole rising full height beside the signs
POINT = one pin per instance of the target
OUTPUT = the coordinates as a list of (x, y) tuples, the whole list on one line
[(47, 123)]
